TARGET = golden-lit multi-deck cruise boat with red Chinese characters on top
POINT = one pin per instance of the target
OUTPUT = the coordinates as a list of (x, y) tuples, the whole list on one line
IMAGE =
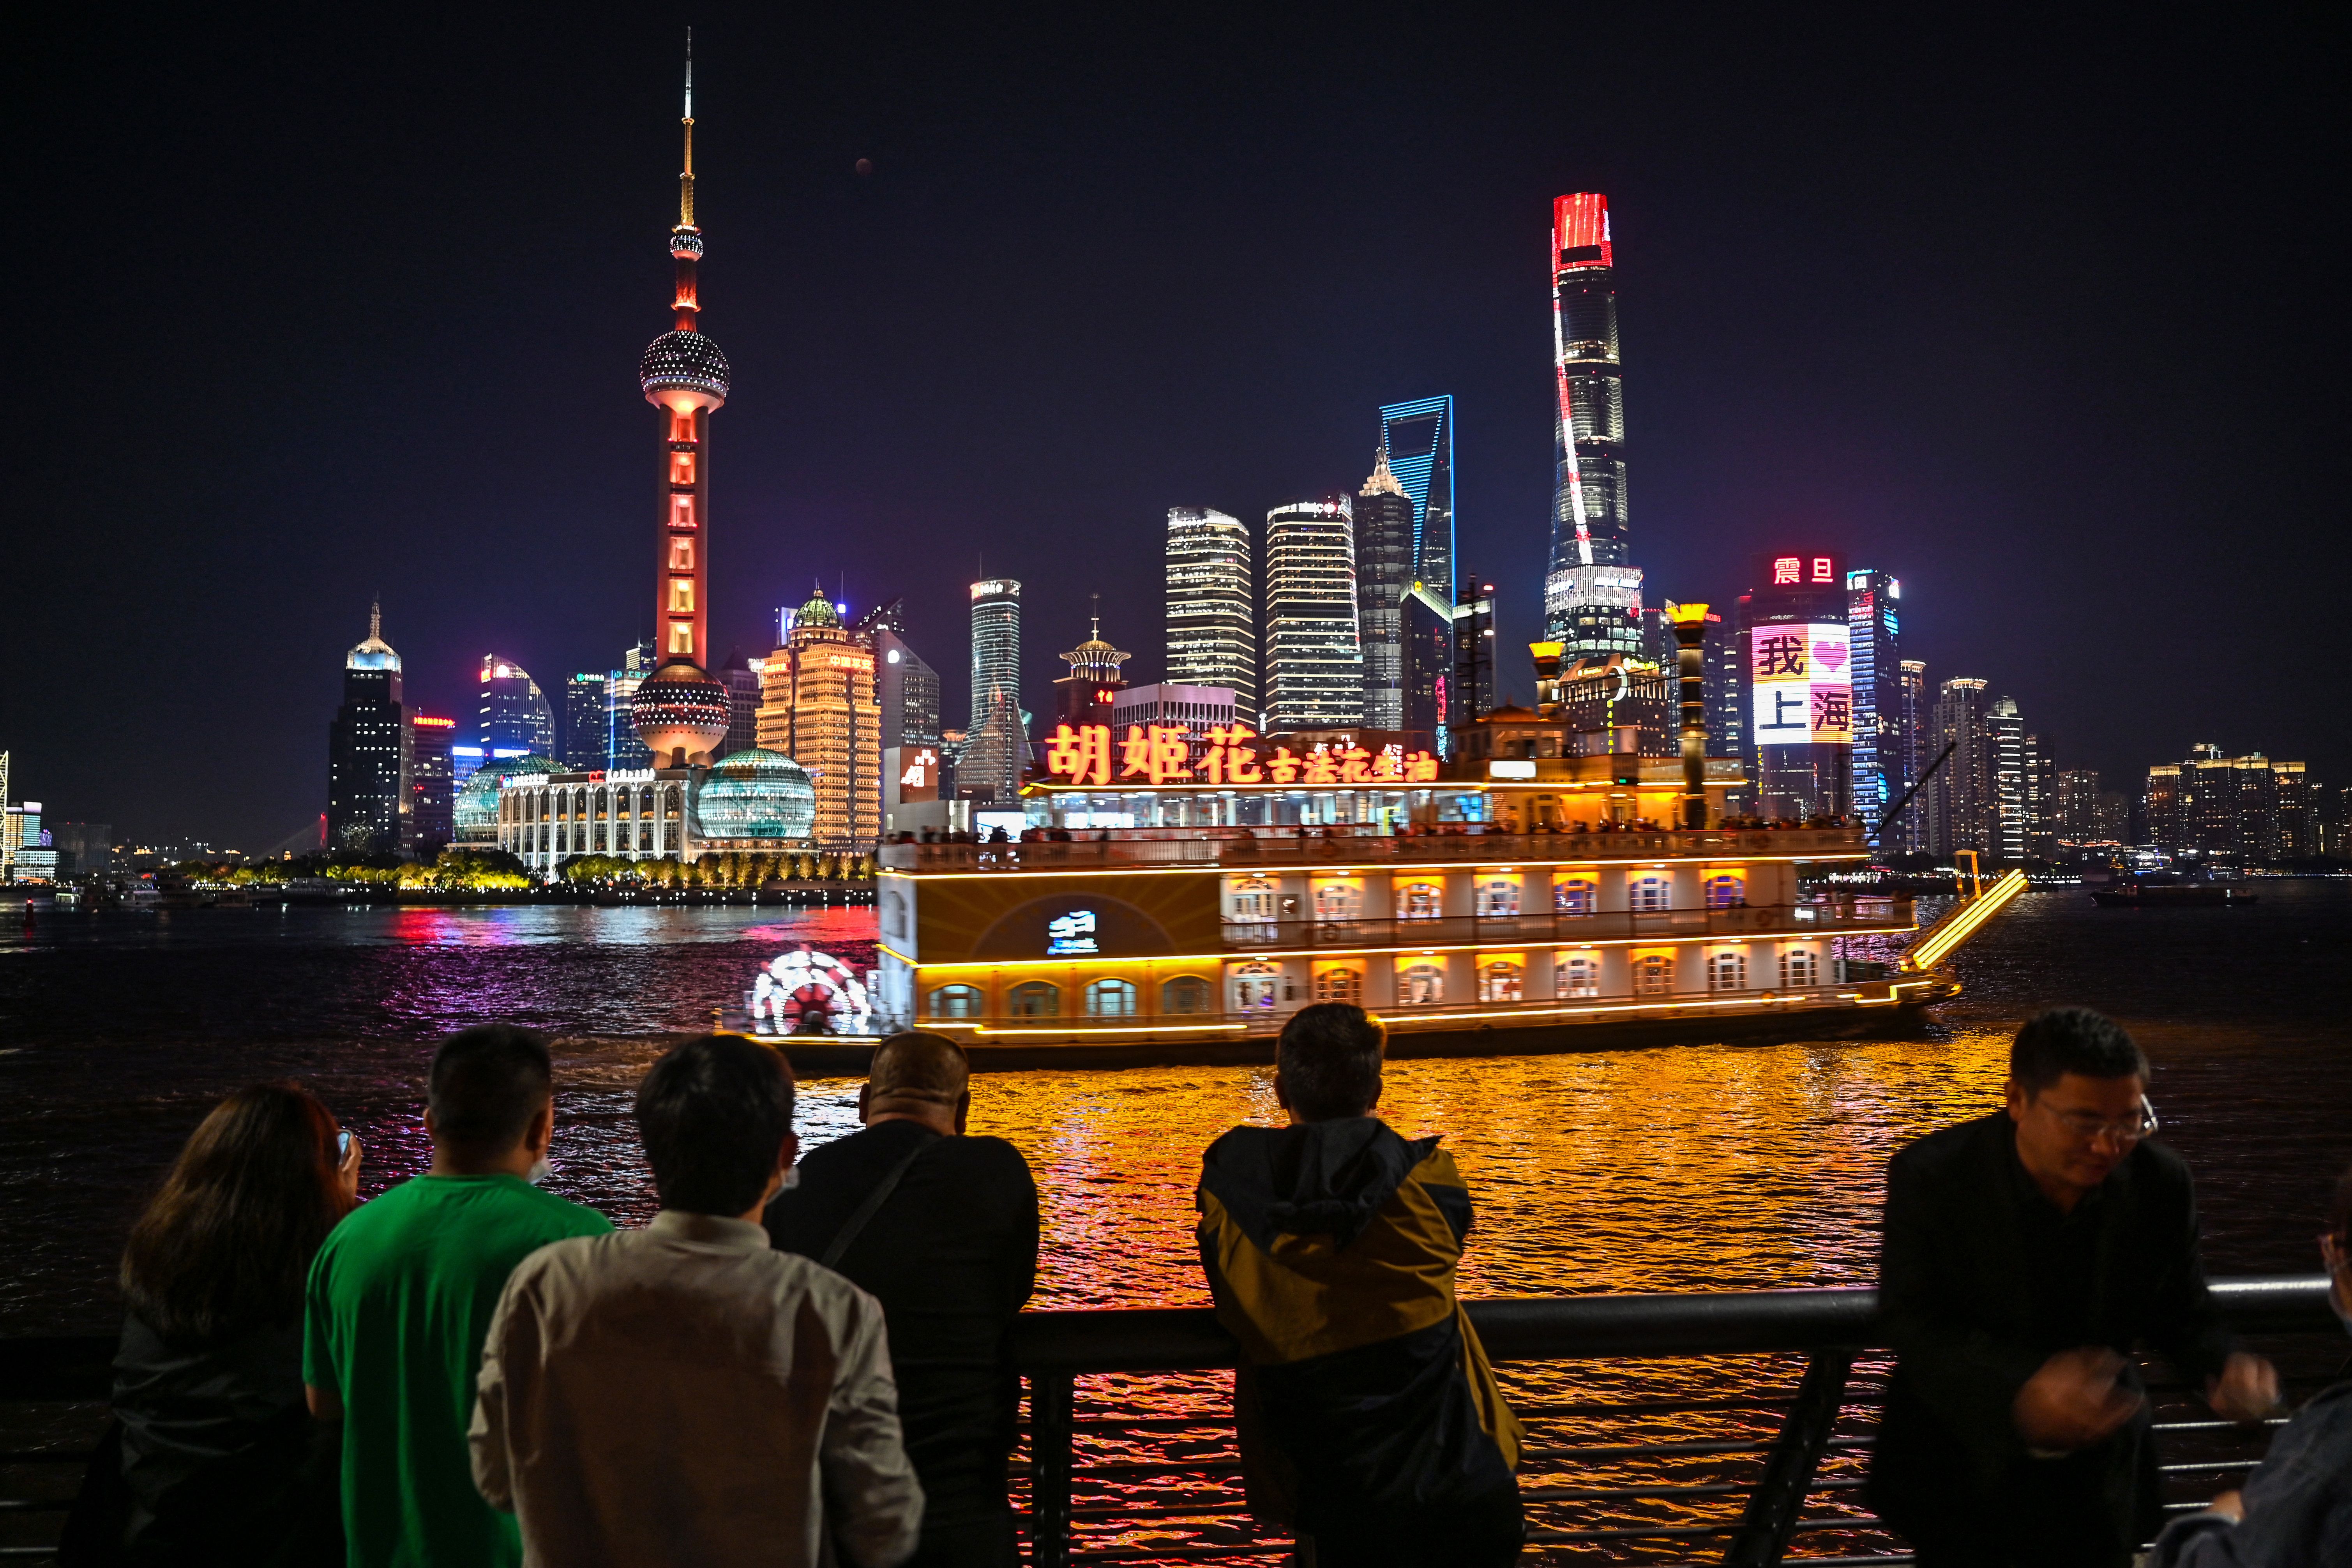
[(1481, 906)]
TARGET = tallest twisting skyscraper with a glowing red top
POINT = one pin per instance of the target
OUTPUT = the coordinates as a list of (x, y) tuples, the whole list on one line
[(1591, 589)]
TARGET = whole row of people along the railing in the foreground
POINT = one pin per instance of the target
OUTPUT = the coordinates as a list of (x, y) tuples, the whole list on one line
[(803, 1362)]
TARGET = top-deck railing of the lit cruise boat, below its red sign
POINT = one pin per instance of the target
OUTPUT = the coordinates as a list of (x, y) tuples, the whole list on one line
[(1274, 847)]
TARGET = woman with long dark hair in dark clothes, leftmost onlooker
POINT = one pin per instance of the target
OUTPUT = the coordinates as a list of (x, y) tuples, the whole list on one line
[(208, 1383)]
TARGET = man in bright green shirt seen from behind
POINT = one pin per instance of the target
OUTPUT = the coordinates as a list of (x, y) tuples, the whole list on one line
[(401, 1301)]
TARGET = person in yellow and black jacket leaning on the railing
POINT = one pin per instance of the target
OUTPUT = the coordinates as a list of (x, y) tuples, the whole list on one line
[(1370, 1419)]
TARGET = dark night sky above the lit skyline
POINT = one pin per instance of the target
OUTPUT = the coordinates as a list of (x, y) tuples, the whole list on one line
[(2038, 309)]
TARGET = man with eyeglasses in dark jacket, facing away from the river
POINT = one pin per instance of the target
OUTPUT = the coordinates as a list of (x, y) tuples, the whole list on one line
[(2026, 1257)]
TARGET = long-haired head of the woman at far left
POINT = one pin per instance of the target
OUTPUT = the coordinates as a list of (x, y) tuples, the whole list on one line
[(229, 1240)]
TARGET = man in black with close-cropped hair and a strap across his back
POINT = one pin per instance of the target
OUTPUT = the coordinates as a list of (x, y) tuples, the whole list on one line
[(942, 1228)]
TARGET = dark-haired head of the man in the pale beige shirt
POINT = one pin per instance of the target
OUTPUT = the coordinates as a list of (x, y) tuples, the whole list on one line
[(714, 1113)]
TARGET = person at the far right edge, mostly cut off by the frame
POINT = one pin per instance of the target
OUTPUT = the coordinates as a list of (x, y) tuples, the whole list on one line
[(2297, 1508)]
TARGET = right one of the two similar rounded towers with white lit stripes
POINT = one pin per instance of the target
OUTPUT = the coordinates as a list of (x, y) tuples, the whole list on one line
[(1314, 659)]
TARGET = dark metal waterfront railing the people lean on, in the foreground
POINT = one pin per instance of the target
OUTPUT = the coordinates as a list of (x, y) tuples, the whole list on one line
[(1725, 1428)]
